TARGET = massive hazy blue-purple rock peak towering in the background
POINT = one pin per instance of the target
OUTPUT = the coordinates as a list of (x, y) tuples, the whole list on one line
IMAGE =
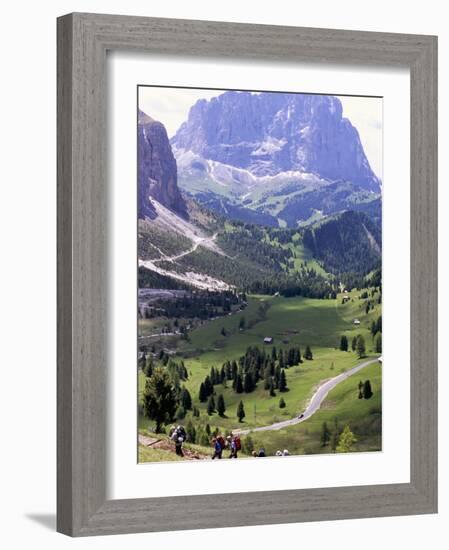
[(271, 133)]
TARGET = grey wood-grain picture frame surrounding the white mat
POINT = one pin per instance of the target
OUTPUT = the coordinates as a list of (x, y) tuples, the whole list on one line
[(83, 40)]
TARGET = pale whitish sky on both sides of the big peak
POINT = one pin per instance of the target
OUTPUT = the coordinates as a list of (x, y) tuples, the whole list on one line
[(171, 107)]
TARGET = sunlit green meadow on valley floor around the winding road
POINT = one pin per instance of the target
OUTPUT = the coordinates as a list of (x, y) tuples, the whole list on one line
[(290, 322)]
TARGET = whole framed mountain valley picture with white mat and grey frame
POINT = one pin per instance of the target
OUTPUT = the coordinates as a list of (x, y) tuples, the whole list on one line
[(247, 250)]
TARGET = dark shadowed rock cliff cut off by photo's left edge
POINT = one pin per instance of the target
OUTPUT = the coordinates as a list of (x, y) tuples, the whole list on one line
[(157, 172)]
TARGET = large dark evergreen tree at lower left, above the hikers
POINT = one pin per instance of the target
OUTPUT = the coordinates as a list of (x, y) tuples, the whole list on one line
[(159, 398)]
